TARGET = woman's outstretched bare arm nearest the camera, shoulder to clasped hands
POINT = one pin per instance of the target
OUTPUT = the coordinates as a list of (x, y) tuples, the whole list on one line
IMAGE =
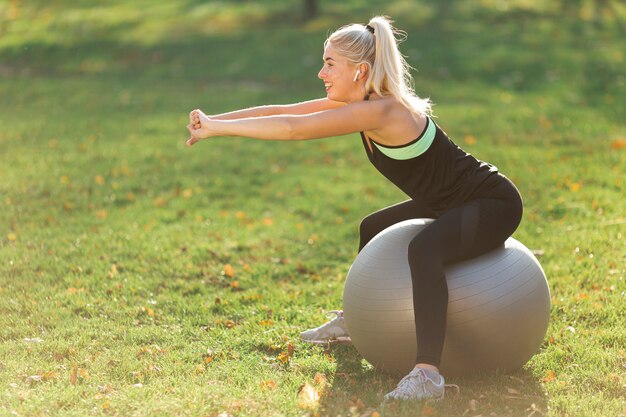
[(355, 117)]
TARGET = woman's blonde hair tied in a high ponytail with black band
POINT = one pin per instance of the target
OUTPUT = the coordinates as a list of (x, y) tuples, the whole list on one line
[(388, 71)]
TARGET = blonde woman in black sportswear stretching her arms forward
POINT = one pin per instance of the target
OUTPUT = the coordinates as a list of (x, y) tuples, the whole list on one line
[(475, 208)]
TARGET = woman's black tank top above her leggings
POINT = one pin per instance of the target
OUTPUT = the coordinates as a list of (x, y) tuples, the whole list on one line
[(442, 177)]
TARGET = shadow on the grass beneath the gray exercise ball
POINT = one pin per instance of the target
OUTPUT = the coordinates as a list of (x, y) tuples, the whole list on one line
[(358, 389)]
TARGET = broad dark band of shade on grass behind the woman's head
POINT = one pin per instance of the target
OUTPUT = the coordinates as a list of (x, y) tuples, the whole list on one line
[(518, 51)]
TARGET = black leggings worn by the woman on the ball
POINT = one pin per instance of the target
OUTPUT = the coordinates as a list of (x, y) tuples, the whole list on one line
[(462, 232)]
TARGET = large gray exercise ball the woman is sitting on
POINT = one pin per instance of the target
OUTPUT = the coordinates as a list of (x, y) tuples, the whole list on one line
[(498, 306)]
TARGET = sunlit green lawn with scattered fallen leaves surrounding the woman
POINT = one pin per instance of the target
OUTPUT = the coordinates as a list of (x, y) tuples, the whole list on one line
[(138, 277)]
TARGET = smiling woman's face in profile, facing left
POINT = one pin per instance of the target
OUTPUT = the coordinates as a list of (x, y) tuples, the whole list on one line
[(338, 76)]
